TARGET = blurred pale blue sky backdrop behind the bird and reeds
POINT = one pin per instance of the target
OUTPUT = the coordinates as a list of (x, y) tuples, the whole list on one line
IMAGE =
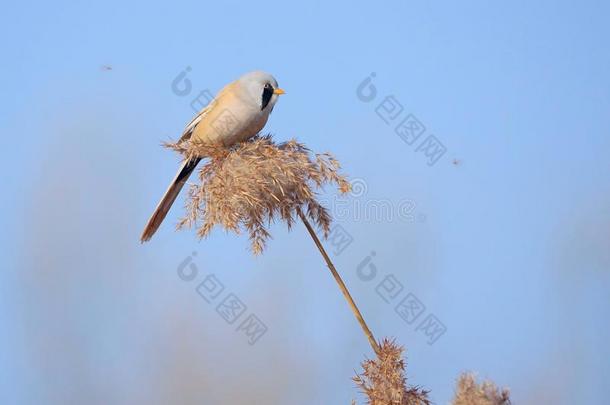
[(495, 202)]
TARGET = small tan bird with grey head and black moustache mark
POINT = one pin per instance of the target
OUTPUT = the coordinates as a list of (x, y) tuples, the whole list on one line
[(238, 112)]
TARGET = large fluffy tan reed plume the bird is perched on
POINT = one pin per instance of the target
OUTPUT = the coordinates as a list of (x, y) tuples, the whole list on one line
[(250, 184)]
